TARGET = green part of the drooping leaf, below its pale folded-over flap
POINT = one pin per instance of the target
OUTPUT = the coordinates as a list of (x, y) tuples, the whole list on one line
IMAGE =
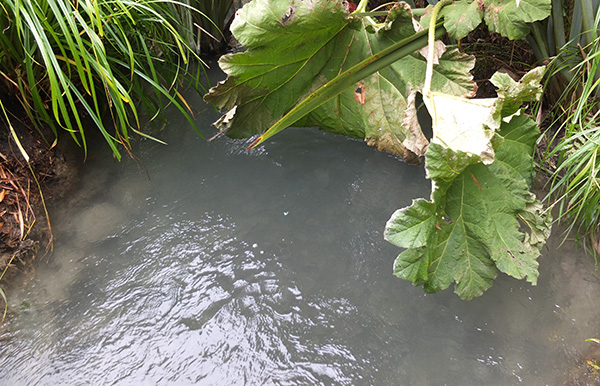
[(471, 228)]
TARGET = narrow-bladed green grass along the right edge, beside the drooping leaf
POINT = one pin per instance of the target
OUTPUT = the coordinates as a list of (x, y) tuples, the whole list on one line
[(575, 147)]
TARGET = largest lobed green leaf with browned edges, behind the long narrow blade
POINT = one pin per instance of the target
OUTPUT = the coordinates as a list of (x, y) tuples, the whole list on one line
[(294, 47)]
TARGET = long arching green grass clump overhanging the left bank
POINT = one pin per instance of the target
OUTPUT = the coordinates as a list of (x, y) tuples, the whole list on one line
[(66, 59)]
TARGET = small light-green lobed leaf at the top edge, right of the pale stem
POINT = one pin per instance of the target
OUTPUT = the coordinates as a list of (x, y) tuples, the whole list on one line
[(506, 17)]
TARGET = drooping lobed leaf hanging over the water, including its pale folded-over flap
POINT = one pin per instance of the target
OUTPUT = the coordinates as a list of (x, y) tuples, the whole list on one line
[(481, 170)]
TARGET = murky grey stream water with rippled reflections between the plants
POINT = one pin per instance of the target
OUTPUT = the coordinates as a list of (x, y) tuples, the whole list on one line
[(228, 267)]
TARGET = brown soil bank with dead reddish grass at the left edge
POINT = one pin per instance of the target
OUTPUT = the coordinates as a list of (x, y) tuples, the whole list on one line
[(24, 229)]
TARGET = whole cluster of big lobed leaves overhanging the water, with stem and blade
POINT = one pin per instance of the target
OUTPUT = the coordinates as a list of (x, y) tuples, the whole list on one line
[(315, 63)]
